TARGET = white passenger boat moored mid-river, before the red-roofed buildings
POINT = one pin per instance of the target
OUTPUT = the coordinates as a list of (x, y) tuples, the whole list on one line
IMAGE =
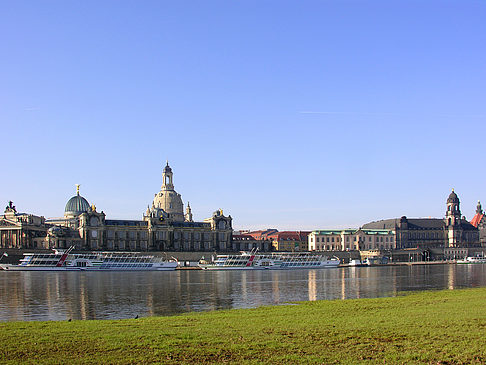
[(273, 261)]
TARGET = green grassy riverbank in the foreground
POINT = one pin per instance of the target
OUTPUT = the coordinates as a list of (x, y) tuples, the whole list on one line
[(439, 327)]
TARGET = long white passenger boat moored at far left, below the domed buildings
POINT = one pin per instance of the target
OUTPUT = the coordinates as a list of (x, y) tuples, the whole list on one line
[(92, 261)]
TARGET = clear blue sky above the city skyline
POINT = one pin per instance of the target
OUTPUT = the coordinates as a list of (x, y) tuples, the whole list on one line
[(294, 115)]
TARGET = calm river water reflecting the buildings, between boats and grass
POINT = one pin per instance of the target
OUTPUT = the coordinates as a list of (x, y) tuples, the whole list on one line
[(36, 296)]
